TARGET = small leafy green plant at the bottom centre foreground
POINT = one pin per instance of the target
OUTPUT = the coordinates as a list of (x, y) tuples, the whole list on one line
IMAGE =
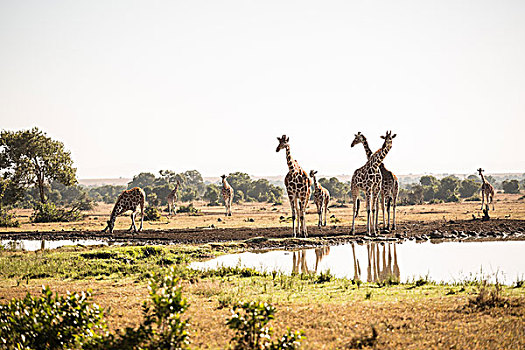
[(249, 321)]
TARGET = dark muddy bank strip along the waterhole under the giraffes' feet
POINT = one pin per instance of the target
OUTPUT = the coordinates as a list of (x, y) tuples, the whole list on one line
[(281, 237)]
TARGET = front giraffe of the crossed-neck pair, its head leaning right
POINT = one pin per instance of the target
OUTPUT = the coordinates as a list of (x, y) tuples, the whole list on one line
[(368, 178)]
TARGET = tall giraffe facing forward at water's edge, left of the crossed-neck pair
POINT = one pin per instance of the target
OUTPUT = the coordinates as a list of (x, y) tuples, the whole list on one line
[(297, 185)]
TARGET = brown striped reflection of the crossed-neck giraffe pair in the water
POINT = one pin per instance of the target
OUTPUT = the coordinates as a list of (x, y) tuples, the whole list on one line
[(382, 262)]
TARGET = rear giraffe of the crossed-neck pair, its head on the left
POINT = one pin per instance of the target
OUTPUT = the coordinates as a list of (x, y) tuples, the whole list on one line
[(389, 184)]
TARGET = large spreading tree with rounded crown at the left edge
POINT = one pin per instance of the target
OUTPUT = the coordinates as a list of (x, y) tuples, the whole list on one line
[(31, 157)]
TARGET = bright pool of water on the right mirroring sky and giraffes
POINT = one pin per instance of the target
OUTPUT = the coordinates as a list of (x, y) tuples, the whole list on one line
[(448, 261)]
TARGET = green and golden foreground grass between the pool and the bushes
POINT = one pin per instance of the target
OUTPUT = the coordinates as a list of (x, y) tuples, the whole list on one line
[(332, 312)]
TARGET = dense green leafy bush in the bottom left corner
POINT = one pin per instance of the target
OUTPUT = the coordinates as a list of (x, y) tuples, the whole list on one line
[(49, 322)]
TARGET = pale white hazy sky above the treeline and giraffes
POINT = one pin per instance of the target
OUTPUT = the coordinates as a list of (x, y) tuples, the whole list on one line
[(132, 86)]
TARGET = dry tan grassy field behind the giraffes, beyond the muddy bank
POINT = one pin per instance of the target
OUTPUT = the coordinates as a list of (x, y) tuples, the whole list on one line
[(267, 215)]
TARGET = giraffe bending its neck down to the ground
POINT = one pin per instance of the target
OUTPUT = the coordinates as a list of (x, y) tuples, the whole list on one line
[(128, 200)]
